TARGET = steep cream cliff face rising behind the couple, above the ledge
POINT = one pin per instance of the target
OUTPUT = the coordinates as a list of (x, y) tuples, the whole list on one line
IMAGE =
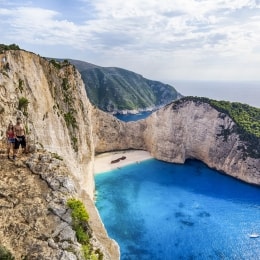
[(33, 77)]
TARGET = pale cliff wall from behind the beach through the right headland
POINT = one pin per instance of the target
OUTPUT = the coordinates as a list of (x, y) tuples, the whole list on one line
[(180, 131)]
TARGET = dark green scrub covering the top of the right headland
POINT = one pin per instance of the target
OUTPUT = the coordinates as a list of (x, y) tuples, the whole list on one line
[(247, 121)]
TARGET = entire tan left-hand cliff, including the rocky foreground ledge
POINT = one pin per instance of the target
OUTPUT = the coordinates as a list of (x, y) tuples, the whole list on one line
[(52, 101)]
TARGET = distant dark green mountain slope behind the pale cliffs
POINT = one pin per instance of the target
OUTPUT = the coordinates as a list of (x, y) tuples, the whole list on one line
[(115, 89)]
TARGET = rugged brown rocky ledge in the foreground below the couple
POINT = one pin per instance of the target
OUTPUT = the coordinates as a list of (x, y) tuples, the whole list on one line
[(36, 222)]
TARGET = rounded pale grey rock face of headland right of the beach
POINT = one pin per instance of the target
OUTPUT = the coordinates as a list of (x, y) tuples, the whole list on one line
[(194, 131)]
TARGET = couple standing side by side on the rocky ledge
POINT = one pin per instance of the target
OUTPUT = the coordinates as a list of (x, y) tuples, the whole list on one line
[(15, 138)]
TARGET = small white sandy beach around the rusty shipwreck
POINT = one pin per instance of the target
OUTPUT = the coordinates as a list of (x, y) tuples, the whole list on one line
[(103, 161)]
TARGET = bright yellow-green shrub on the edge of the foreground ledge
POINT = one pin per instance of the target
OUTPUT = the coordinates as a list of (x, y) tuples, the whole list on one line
[(80, 224)]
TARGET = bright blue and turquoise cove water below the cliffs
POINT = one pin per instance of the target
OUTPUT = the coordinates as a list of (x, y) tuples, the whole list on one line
[(156, 210)]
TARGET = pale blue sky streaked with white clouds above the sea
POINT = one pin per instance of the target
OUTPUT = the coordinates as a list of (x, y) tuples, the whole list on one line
[(165, 40)]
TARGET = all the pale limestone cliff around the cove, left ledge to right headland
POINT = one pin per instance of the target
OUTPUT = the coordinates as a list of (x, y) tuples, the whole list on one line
[(61, 122)]
